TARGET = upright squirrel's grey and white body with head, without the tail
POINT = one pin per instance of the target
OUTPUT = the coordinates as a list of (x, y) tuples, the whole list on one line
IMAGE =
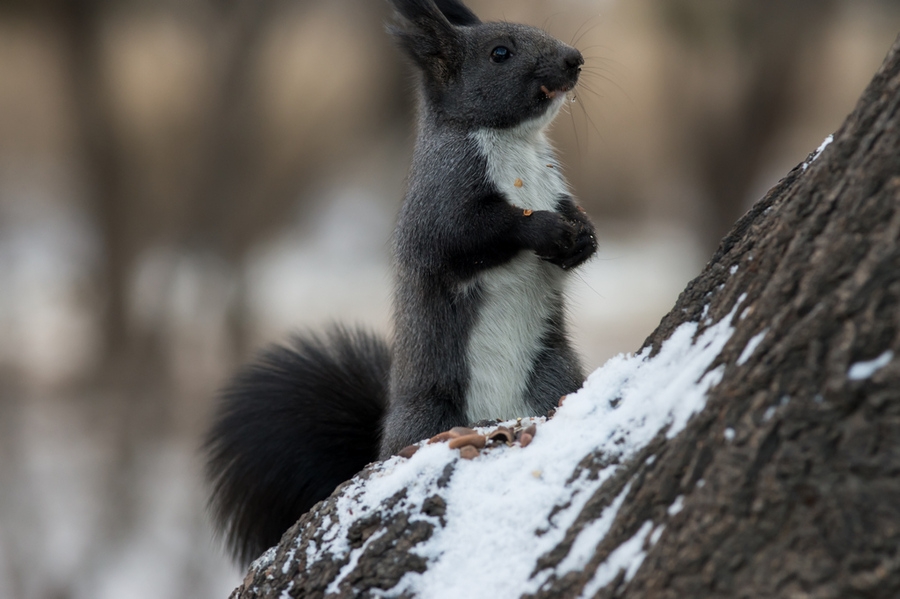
[(479, 314)]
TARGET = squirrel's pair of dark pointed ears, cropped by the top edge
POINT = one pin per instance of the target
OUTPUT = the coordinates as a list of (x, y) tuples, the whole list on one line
[(427, 33)]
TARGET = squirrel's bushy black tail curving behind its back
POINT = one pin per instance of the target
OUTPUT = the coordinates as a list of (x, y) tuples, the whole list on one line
[(291, 427)]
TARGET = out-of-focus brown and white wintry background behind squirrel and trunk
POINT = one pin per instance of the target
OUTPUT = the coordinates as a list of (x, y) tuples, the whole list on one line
[(182, 181)]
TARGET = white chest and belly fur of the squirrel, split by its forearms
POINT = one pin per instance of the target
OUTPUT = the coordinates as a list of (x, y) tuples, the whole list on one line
[(518, 296)]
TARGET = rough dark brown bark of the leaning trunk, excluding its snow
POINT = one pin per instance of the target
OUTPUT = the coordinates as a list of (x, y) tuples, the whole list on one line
[(789, 478)]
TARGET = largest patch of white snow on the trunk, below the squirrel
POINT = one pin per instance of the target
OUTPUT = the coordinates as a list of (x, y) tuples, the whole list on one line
[(620, 409)]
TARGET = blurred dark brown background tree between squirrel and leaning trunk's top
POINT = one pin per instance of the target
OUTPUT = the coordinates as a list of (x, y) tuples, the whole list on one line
[(737, 93)]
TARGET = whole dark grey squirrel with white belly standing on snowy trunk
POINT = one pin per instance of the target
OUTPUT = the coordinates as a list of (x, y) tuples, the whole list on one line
[(485, 239)]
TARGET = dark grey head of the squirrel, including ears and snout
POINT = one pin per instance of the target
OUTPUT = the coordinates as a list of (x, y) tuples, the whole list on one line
[(476, 74)]
